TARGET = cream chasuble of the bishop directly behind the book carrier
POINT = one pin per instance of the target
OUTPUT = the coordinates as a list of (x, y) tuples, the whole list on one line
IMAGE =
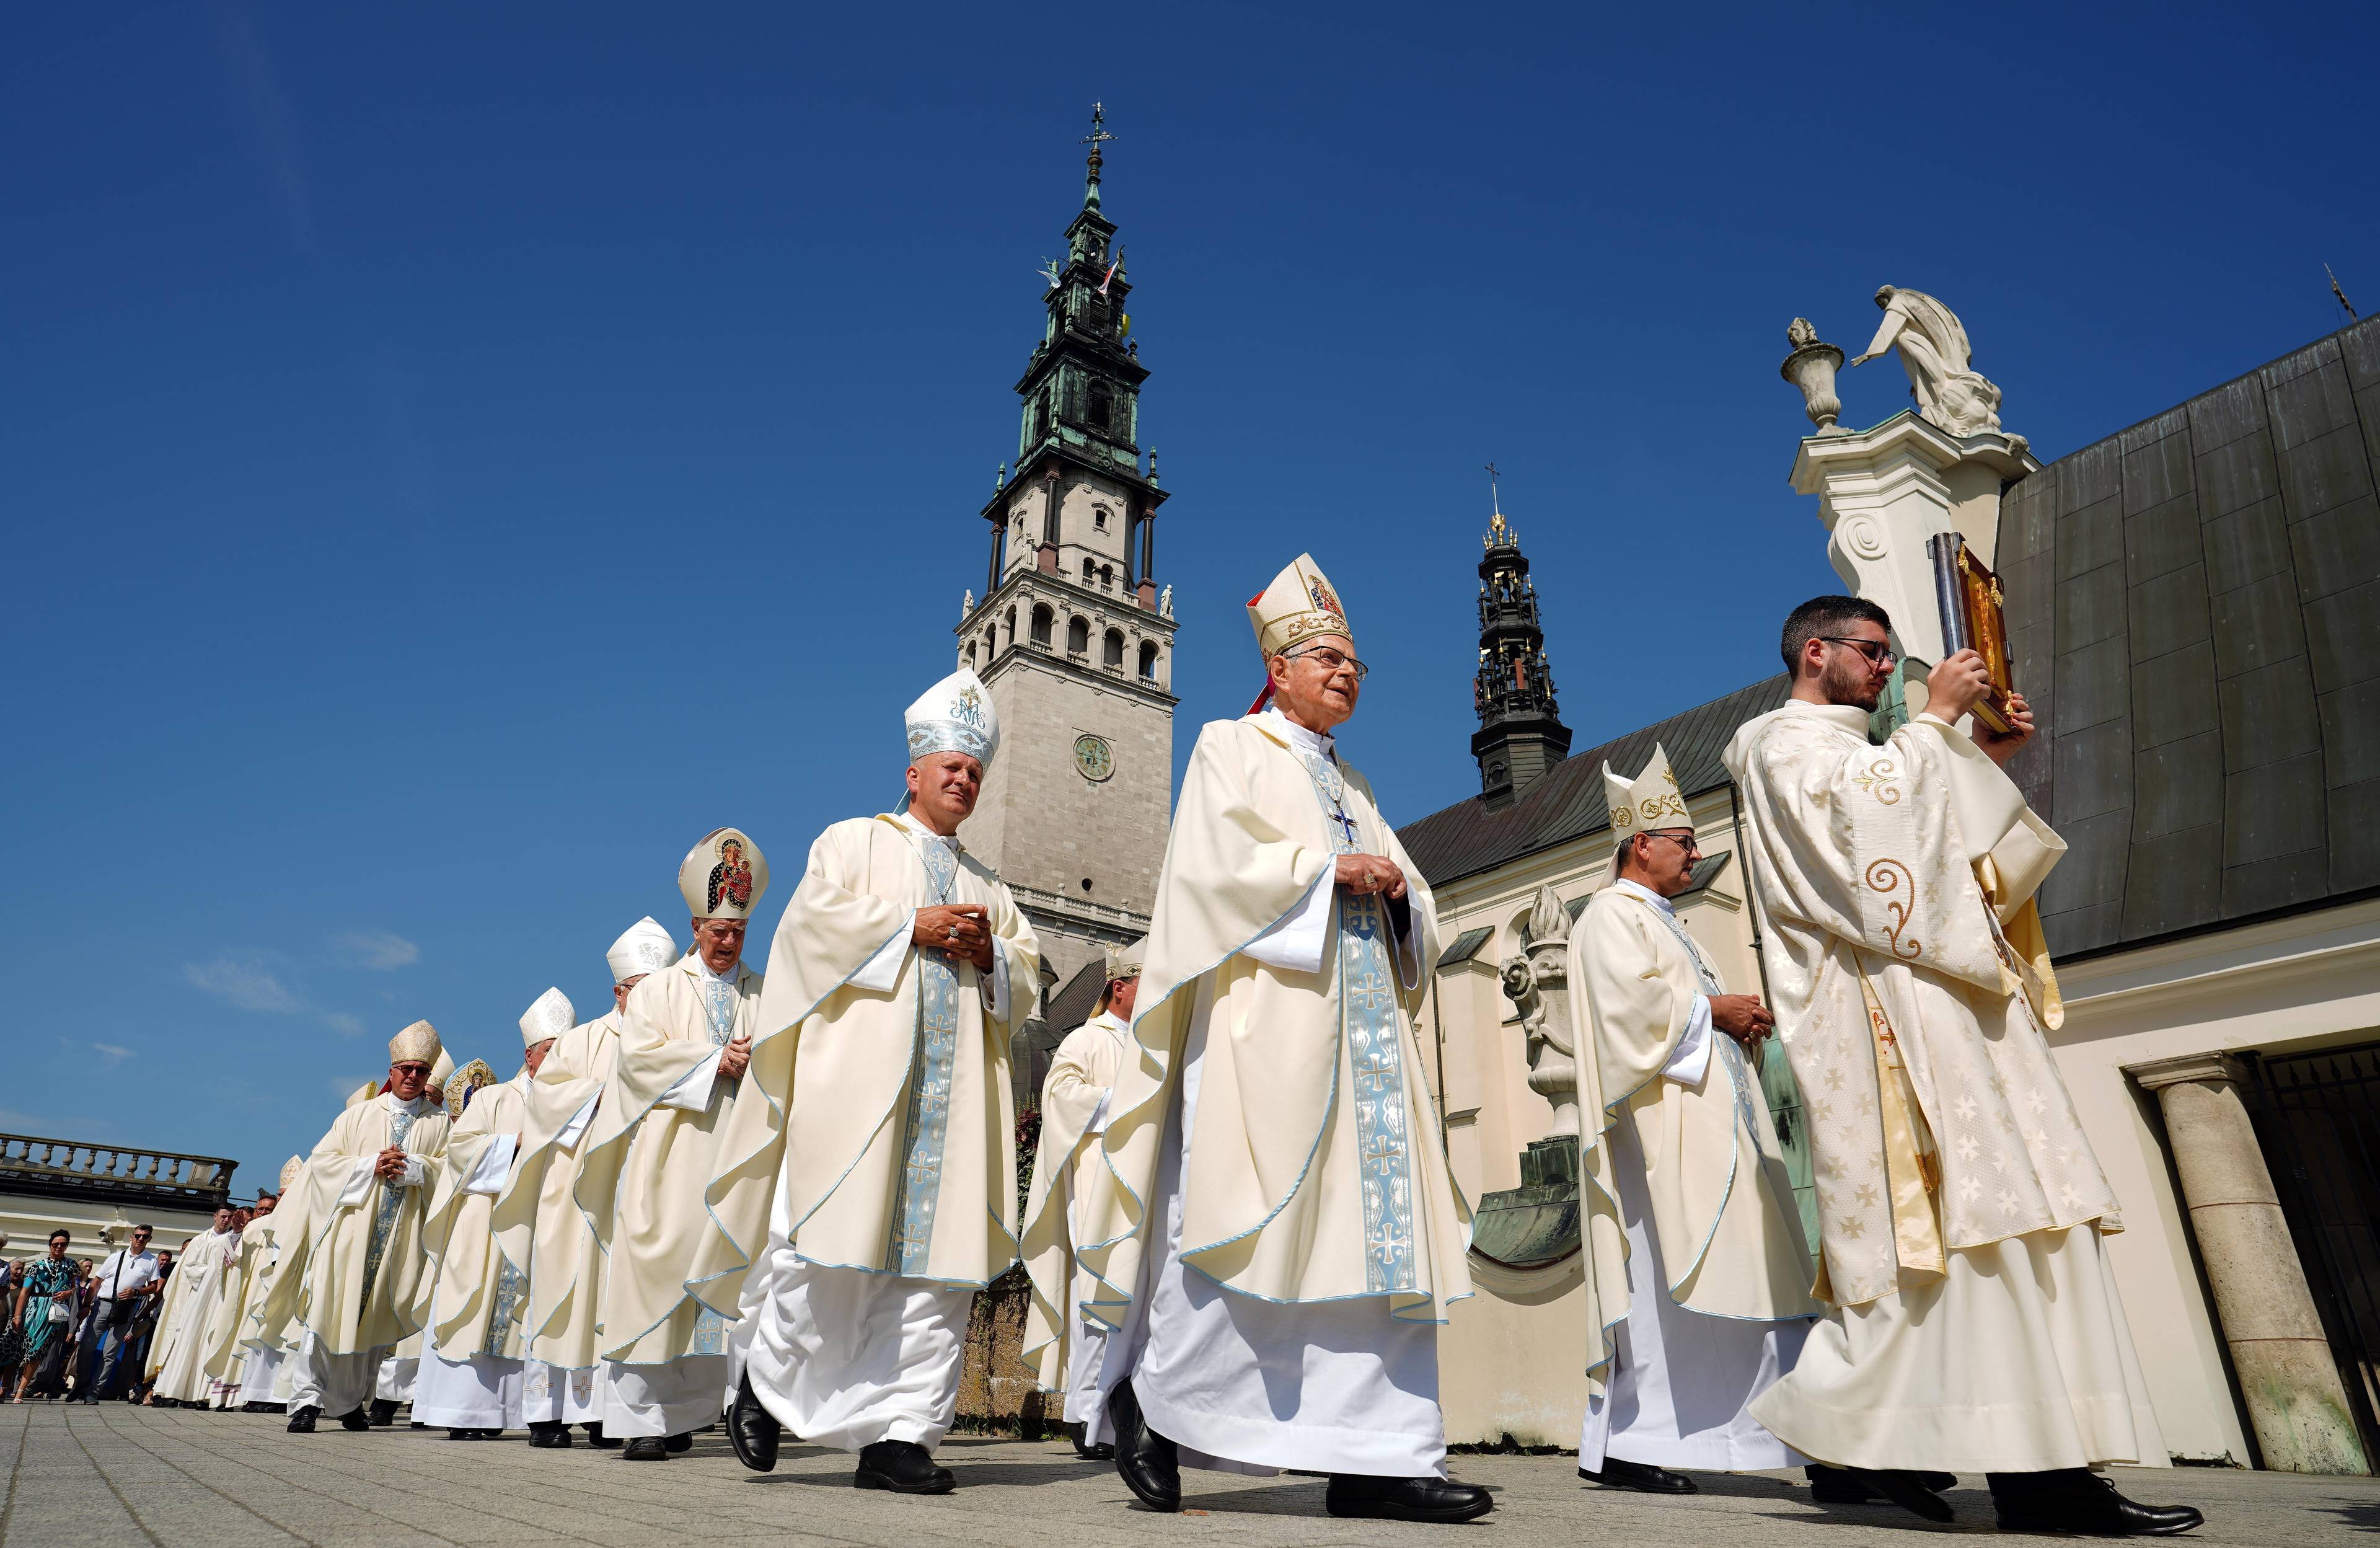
[(1715, 1175)]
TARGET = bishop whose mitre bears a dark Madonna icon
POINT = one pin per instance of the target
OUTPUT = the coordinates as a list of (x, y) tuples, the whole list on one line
[(684, 1047)]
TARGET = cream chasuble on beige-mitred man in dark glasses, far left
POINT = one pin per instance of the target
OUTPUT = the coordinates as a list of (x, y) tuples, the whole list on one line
[(351, 1282)]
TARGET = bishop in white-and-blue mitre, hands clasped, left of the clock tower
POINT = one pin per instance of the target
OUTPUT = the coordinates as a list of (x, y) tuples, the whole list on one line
[(872, 1173)]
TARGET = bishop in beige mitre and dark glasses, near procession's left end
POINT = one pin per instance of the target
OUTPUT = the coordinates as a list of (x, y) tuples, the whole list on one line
[(351, 1282)]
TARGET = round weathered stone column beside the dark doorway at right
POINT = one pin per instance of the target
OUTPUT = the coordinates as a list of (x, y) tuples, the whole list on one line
[(2288, 1375)]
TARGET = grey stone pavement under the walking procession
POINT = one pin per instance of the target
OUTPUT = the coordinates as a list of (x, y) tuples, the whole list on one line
[(118, 1475)]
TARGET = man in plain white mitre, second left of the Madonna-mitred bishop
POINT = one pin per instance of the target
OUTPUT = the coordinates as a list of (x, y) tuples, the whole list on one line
[(472, 1306)]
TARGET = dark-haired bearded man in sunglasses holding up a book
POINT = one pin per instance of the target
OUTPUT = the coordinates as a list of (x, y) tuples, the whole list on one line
[(1960, 1204)]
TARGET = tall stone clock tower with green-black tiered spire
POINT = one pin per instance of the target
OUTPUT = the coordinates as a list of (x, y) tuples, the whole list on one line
[(1072, 635)]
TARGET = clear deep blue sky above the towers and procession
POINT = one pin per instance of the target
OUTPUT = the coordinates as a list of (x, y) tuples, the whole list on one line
[(458, 456)]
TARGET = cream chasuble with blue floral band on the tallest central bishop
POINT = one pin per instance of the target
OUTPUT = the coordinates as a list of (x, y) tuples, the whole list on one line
[(1313, 1168)]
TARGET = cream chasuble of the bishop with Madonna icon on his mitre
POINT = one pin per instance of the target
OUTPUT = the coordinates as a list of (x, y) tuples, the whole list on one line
[(651, 1156)]
